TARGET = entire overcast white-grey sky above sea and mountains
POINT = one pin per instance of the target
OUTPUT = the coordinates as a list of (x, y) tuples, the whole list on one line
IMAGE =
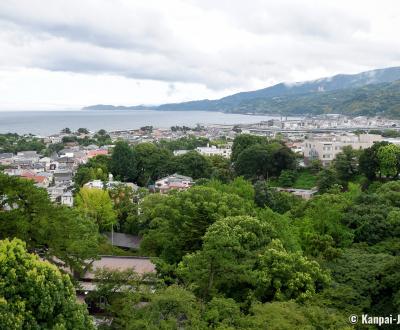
[(58, 54)]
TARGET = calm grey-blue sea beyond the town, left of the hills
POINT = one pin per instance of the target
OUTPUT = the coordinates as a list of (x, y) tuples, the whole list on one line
[(49, 122)]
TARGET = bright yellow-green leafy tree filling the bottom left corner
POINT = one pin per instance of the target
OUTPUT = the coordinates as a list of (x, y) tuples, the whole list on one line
[(34, 294)]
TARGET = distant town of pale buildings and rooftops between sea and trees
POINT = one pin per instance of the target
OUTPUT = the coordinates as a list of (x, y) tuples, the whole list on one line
[(57, 157)]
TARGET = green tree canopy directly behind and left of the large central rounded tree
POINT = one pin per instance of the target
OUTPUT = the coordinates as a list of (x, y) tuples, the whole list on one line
[(174, 225)]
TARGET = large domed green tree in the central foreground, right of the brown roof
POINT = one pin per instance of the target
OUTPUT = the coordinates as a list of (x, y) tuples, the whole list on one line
[(239, 252)]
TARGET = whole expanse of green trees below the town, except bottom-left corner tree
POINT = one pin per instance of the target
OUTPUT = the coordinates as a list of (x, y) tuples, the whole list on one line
[(233, 251)]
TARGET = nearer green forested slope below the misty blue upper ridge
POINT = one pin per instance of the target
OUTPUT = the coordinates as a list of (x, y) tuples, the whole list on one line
[(370, 100)]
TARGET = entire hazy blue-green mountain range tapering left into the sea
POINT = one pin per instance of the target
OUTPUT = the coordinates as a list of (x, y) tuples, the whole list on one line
[(375, 92)]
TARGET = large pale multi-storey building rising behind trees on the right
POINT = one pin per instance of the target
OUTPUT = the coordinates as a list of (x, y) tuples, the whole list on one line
[(326, 147)]
